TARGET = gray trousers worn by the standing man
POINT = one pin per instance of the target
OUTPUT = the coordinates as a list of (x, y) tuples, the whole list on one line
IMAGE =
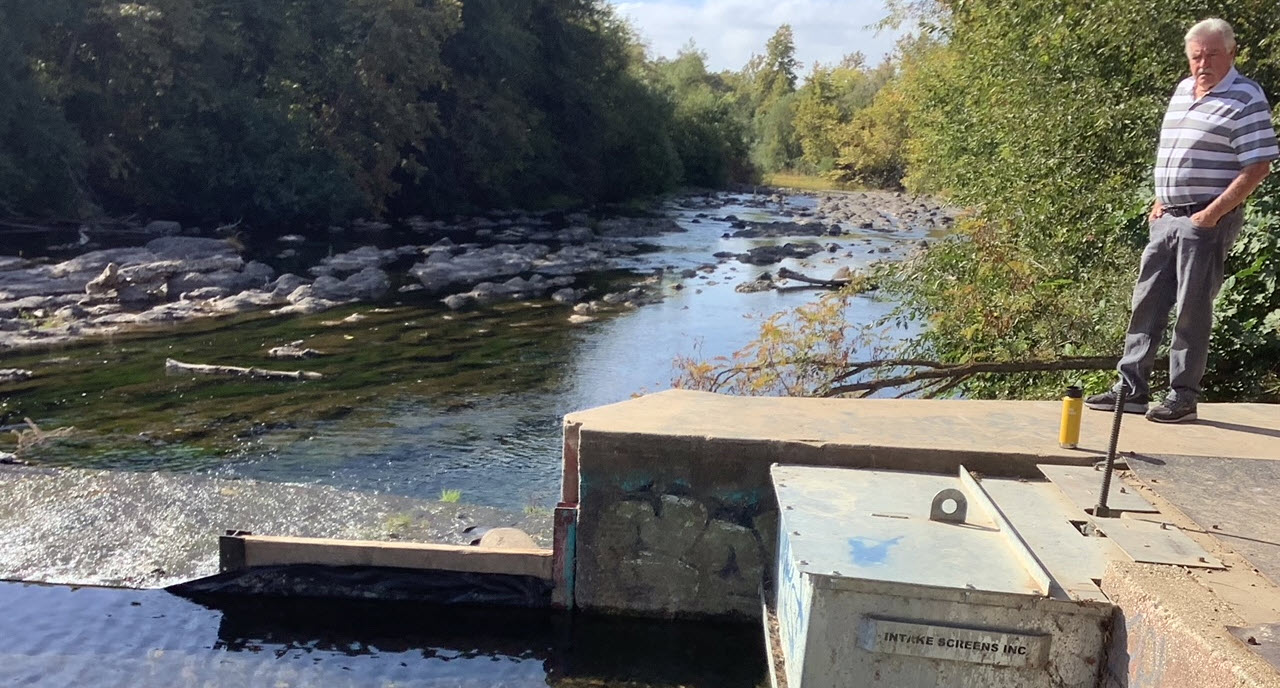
[(1182, 269)]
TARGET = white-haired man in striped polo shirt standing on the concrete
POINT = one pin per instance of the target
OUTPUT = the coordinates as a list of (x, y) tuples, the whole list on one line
[(1217, 146)]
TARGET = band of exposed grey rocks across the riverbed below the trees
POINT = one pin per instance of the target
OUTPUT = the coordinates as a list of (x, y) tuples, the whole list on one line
[(463, 263)]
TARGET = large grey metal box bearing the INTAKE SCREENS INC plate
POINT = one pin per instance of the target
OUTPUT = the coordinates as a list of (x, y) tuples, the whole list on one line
[(908, 580)]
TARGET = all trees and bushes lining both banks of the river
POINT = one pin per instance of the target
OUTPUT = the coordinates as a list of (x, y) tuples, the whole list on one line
[(1041, 118)]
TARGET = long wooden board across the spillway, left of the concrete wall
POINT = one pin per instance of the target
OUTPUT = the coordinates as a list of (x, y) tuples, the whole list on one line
[(272, 552)]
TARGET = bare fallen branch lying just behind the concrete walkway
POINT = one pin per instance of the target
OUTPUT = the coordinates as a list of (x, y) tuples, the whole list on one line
[(943, 374)]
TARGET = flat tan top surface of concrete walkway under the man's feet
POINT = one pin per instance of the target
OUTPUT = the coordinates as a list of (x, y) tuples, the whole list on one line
[(1027, 429)]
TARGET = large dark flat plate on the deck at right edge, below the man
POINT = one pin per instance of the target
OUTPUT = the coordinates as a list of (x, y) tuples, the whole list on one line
[(1236, 501)]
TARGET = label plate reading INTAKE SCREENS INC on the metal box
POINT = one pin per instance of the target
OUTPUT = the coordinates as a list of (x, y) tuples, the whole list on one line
[(948, 643)]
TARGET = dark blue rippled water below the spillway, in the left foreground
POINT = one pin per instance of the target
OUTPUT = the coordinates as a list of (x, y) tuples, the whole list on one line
[(102, 637)]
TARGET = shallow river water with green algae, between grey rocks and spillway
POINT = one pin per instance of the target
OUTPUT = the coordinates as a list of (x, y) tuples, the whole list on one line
[(415, 400)]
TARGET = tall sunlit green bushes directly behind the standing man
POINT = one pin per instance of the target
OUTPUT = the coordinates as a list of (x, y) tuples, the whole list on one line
[(1045, 117)]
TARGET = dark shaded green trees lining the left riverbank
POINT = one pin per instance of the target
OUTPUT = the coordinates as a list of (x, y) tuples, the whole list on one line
[(321, 111)]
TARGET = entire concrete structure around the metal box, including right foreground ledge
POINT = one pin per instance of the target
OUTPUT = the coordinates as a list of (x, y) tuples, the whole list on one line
[(669, 513)]
